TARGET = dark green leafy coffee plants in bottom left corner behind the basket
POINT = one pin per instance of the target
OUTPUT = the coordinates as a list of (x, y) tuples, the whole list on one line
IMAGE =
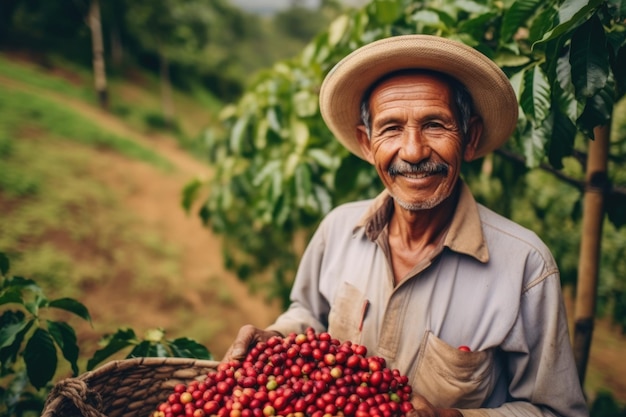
[(32, 338)]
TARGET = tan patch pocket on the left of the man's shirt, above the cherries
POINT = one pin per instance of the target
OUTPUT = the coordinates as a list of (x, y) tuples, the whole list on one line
[(347, 313)]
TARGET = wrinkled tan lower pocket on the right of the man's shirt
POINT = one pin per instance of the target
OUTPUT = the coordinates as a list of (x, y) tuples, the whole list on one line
[(449, 377)]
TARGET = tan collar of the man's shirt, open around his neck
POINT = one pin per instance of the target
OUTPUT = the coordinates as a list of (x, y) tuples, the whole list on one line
[(465, 234)]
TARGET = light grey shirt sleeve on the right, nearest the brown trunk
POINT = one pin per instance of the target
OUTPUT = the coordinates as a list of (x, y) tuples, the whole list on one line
[(539, 358)]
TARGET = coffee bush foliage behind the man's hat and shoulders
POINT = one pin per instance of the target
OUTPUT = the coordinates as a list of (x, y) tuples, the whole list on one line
[(279, 171)]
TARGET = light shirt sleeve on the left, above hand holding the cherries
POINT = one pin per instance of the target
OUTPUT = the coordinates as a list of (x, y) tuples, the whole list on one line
[(308, 307)]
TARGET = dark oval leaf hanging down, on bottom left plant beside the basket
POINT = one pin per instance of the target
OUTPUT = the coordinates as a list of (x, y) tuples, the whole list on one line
[(40, 357)]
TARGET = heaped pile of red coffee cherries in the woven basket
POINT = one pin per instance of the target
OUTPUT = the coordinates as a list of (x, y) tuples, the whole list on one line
[(301, 375)]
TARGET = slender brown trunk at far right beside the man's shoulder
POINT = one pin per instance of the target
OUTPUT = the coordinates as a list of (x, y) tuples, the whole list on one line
[(597, 185)]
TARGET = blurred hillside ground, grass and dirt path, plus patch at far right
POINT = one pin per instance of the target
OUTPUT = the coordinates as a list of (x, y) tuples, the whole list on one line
[(131, 253)]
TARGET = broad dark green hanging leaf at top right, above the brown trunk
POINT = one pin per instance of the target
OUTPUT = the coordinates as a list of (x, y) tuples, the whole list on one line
[(589, 59)]
